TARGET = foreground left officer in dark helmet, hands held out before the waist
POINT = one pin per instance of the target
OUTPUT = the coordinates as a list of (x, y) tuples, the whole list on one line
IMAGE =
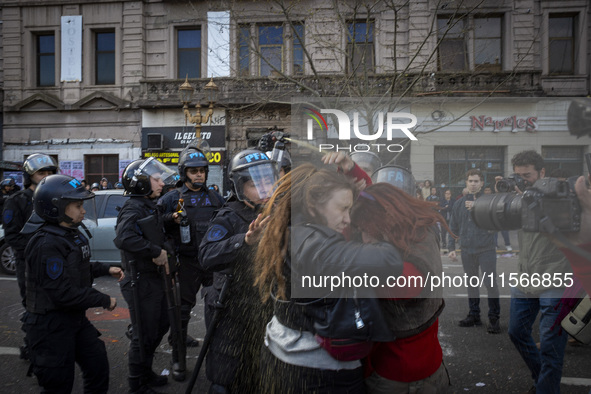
[(59, 291)]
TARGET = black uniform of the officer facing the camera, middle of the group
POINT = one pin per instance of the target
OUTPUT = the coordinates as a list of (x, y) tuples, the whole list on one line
[(200, 207)]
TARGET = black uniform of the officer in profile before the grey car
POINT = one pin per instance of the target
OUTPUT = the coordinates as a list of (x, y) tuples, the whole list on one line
[(153, 307)]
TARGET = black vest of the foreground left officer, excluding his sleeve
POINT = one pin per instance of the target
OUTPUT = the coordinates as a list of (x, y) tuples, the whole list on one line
[(76, 252)]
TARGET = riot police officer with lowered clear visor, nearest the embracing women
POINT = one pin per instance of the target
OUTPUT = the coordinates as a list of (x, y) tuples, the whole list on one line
[(232, 361)]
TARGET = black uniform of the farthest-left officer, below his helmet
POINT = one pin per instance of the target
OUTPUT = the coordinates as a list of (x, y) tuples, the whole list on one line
[(17, 210)]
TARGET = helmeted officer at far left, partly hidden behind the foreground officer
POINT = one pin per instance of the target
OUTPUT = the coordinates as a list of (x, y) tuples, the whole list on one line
[(19, 207)]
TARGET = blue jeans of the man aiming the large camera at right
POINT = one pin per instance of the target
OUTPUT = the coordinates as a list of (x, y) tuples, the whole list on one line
[(545, 364)]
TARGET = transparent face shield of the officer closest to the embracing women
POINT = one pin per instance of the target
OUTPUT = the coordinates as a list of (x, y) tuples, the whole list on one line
[(256, 183)]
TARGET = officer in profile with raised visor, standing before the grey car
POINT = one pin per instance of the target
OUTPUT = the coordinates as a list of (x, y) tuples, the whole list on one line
[(143, 181)]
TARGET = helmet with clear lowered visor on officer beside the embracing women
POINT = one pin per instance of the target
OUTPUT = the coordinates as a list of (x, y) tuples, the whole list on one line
[(255, 165)]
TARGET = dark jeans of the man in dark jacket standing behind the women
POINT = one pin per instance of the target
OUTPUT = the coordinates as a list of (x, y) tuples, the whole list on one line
[(487, 262)]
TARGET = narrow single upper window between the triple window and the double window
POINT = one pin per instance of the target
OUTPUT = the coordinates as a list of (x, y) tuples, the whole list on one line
[(360, 47)]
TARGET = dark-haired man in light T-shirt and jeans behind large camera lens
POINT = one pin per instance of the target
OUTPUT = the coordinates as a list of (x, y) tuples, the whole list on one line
[(538, 256)]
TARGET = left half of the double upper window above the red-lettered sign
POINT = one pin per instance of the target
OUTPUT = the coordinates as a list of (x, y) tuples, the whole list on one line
[(452, 44)]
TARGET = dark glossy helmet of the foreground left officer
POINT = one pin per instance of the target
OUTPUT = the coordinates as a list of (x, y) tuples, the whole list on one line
[(54, 193)]
